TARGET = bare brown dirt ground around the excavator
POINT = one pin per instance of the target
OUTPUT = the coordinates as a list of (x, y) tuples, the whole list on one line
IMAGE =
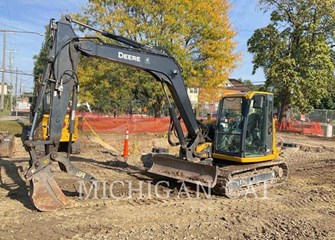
[(301, 208)]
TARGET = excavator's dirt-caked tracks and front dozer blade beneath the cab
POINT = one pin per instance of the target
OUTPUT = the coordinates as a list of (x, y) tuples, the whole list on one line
[(228, 179)]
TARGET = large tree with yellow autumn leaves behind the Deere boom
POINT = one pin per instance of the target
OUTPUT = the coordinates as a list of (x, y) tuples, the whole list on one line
[(197, 33)]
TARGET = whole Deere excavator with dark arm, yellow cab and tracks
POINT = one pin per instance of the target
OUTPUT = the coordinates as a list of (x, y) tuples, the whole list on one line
[(238, 152)]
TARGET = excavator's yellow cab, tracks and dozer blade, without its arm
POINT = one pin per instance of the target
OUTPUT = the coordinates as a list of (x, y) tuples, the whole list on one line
[(241, 151)]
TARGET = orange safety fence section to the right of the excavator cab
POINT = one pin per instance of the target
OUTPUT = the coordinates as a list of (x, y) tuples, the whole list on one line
[(307, 128)]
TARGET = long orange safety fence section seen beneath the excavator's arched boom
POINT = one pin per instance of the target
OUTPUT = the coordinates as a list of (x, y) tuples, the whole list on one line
[(135, 124)]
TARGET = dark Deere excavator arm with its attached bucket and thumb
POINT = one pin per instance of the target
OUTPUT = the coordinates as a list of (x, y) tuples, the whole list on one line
[(61, 80)]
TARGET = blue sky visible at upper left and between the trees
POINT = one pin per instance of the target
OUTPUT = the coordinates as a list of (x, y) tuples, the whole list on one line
[(33, 15)]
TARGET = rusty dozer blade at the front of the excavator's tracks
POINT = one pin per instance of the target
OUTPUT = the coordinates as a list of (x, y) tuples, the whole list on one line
[(172, 167)]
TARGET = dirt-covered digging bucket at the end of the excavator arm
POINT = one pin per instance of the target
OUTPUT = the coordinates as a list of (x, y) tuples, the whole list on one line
[(45, 192)]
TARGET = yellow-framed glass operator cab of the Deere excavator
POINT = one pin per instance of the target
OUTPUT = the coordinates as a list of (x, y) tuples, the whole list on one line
[(244, 128)]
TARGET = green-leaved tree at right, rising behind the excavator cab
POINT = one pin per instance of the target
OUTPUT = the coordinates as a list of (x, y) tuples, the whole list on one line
[(295, 51)]
